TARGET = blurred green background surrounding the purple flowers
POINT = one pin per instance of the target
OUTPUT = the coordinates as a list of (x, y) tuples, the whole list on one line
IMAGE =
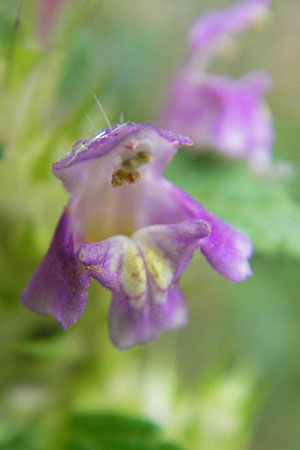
[(231, 379)]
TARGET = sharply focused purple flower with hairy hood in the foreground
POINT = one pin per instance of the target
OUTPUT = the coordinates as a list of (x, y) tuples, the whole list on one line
[(131, 230)]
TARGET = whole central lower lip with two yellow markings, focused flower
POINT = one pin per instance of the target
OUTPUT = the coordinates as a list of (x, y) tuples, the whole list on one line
[(141, 272)]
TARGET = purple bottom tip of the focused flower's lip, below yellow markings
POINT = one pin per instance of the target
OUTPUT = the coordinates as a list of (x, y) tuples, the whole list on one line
[(130, 326)]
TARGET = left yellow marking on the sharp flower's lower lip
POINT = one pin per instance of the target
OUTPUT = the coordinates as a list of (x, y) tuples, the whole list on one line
[(134, 275)]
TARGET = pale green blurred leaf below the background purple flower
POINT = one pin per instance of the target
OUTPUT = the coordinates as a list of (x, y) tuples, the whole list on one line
[(261, 208)]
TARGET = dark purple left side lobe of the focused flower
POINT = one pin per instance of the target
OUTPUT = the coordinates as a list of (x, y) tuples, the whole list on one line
[(59, 285)]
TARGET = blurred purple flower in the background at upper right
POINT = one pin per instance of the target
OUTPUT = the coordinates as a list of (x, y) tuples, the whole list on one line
[(217, 111)]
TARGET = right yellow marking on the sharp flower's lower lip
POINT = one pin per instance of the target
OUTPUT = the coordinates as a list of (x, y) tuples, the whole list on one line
[(159, 267)]
